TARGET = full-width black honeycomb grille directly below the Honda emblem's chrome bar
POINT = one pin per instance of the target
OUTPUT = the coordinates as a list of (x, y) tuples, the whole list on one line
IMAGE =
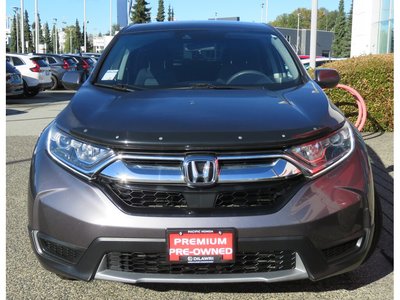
[(246, 199)]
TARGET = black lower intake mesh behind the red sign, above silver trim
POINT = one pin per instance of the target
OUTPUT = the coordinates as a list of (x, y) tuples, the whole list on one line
[(259, 262)]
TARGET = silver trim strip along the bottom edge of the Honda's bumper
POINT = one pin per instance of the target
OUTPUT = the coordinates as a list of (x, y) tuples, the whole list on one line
[(299, 272)]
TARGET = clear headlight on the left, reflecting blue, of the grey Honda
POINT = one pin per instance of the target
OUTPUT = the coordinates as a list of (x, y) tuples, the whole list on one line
[(79, 155)]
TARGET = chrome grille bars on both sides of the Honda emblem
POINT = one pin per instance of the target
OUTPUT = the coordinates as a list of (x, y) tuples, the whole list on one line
[(233, 169)]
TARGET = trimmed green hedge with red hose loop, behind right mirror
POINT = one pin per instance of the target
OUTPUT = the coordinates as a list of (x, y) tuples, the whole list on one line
[(372, 76)]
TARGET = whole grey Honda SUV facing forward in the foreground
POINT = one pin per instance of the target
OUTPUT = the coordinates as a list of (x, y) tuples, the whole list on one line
[(201, 152)]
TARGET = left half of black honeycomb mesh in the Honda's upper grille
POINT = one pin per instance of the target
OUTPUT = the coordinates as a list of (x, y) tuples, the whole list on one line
[(133, 197)]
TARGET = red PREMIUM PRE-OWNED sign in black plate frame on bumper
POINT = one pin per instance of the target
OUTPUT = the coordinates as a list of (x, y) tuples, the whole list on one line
[(201, 246)]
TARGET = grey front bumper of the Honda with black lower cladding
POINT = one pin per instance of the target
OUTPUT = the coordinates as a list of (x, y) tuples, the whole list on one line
[(327, 213)]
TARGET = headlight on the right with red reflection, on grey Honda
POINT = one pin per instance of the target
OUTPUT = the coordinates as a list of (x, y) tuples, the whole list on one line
[(320, 154)]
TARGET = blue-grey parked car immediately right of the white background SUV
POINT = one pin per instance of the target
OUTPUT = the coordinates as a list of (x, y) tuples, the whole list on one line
[(59, 65)]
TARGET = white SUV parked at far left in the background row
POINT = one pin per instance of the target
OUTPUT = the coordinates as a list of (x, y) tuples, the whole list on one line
[(36, 73)]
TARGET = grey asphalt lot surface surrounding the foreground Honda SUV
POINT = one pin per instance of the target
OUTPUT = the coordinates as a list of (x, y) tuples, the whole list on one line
[(26, 279)]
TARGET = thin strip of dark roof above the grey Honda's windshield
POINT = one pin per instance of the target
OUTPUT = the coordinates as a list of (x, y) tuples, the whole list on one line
[(207, 25)]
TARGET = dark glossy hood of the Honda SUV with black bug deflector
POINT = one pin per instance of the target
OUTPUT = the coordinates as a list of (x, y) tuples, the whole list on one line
[(199, 119)]
